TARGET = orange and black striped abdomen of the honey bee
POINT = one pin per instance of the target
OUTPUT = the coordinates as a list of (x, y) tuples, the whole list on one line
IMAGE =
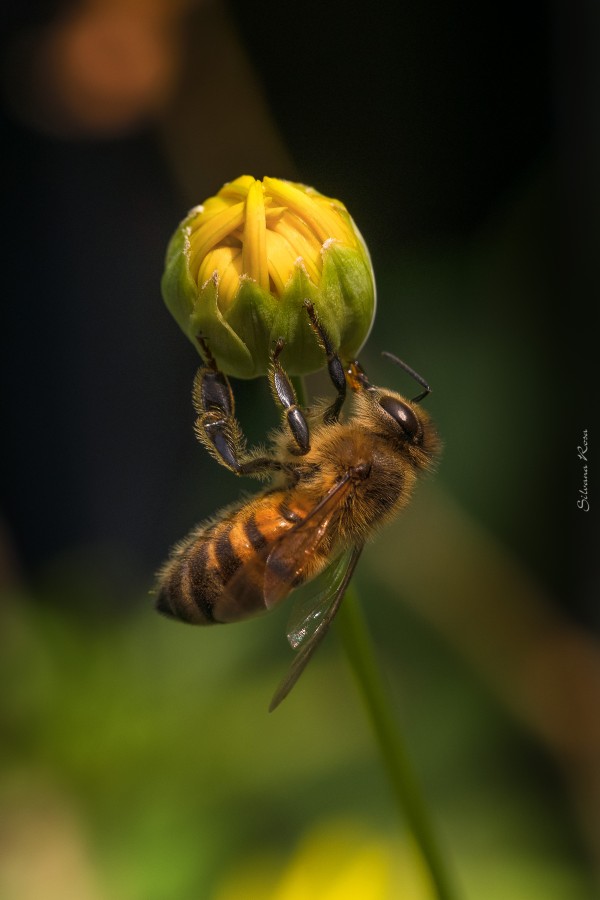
[(217, 573)]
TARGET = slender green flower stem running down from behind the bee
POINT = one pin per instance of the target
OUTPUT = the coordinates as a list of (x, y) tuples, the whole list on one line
[(354, 632)]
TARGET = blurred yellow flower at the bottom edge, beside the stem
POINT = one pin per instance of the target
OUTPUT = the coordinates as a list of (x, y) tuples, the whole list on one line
[(336, 860)]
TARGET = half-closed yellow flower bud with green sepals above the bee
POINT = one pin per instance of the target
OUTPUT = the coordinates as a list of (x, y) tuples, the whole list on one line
[(240, 266)]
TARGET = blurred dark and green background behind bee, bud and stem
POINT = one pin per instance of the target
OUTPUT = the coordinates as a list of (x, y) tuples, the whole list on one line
[(138, 761)]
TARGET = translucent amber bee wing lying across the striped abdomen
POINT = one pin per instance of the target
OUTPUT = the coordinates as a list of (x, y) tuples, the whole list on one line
[(292, 552)]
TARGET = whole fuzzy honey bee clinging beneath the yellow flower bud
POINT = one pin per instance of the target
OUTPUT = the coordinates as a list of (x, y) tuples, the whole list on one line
[(332, 484)]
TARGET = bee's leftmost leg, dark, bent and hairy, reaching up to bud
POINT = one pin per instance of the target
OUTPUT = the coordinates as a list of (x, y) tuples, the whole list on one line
[(216, 426)]
